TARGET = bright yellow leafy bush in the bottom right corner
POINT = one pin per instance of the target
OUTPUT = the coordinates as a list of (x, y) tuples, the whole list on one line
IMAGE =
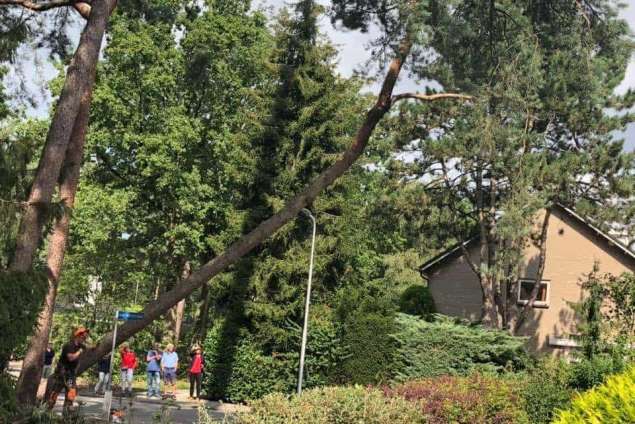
[(612, 402)]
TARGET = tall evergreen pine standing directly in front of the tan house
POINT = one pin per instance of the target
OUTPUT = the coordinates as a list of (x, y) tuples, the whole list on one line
[(536, 134)]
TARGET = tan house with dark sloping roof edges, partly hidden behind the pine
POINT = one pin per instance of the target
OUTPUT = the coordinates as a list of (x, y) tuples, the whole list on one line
[(573, 246)]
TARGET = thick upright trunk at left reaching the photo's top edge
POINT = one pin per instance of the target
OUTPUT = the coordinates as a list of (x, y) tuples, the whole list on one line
[(80, 76)]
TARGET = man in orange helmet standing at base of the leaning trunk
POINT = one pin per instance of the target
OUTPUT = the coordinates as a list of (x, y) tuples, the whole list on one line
[(64, 376)]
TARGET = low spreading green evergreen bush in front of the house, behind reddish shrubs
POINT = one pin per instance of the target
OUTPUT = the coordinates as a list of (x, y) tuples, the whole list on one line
[(428, 349)]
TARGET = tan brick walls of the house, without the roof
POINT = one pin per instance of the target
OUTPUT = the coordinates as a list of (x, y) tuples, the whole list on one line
[(572, 249)]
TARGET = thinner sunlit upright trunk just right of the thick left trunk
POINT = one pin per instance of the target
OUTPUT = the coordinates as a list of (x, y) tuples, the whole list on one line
[(31, 373)]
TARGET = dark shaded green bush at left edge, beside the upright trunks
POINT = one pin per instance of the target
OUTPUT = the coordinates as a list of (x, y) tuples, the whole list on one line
[(21, 297)]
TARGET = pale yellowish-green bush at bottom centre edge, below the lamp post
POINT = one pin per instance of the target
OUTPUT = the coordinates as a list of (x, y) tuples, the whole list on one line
[(331, 405)]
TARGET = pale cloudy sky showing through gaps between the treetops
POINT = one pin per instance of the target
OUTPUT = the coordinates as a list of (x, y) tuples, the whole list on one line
[(353, 53)]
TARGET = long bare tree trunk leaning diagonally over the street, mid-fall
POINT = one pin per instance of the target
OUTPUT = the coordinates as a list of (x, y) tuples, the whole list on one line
[(266, 228)]
